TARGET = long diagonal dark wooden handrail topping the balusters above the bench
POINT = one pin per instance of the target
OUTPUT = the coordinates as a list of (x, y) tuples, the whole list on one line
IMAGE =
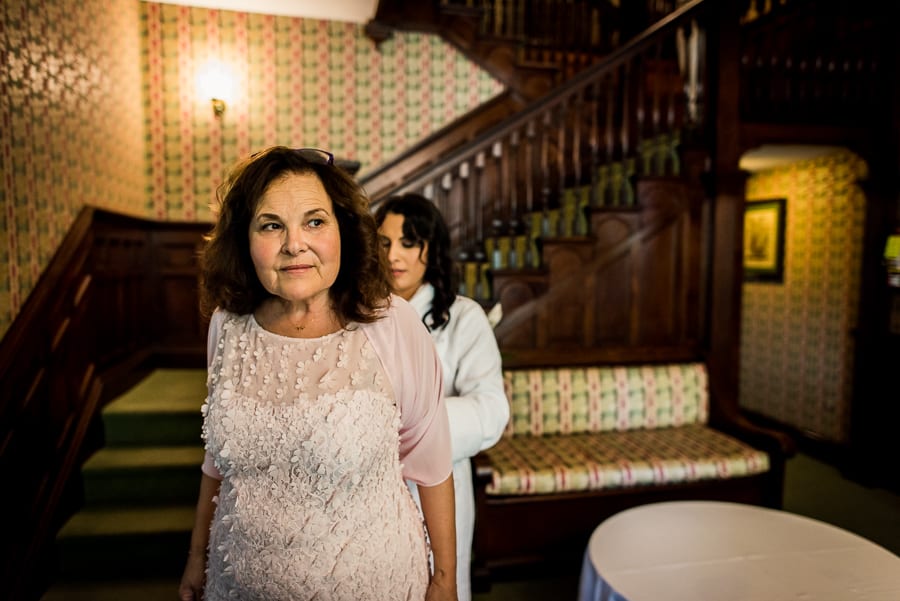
[(577, 84)]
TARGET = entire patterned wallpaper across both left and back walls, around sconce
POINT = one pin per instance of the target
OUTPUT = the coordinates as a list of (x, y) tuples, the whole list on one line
[(99, 105)]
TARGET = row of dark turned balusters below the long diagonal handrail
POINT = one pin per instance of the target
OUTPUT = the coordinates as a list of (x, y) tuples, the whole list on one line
[(537, 178)]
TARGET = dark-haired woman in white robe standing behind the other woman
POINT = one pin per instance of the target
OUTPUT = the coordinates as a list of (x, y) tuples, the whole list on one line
[(418, 244)]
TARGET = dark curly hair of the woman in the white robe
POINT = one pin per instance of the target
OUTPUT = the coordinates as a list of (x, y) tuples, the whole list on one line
[(423, 222)]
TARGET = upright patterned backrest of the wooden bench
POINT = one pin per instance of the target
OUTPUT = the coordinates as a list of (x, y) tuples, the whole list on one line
[(597, 399)]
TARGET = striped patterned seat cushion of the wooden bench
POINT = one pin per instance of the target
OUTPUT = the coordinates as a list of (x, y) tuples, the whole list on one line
[(526, 465)]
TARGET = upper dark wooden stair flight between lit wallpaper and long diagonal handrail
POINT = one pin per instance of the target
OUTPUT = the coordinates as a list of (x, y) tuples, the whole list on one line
[(531, 47)]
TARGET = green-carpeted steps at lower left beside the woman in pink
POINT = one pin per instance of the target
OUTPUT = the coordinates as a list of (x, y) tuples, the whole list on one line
[(140, 489)]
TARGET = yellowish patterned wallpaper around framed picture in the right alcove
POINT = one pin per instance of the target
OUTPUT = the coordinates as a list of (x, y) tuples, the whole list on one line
[(796, 344)]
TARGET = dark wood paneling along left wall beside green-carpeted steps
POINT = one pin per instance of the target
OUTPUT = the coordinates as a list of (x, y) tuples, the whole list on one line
[(120, 292)]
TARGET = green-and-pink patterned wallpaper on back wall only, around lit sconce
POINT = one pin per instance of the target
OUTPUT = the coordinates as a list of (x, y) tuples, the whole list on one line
[(297, 82)]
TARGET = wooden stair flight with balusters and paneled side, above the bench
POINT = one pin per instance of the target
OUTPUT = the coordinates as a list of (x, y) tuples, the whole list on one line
[(564, 207)]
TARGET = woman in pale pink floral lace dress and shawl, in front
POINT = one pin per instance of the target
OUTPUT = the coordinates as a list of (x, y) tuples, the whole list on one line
[(324, 395)]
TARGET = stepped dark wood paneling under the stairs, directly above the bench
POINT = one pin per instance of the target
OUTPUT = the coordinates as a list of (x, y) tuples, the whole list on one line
[(629, 286)]
